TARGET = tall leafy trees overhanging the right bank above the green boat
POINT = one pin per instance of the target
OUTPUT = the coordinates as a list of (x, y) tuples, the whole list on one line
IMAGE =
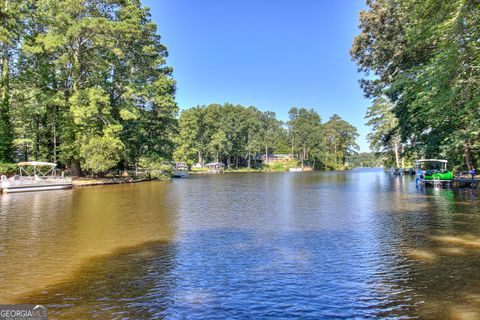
[(422, 66)]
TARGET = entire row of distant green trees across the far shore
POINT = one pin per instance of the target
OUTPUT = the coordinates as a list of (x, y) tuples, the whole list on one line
[(235, 134)]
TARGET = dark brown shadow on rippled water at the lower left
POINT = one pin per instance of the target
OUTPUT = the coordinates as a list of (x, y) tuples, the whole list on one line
[(132, 282)]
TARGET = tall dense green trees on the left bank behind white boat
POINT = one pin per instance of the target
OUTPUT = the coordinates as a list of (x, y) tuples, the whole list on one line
[(84, 84)]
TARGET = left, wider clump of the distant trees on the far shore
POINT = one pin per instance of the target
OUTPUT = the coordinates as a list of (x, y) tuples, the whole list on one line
[(226, 133)]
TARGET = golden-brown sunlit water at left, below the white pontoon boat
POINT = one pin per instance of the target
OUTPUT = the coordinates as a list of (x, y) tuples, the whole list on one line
[(46, 236)]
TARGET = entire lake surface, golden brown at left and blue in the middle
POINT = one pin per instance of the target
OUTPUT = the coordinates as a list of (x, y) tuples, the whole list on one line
[(317, 245)]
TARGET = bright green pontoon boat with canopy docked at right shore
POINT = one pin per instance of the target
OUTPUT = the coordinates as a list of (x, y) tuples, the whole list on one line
[(433, 171)]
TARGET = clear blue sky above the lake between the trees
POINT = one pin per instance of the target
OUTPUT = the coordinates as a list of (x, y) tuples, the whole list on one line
[(273, 54)]
